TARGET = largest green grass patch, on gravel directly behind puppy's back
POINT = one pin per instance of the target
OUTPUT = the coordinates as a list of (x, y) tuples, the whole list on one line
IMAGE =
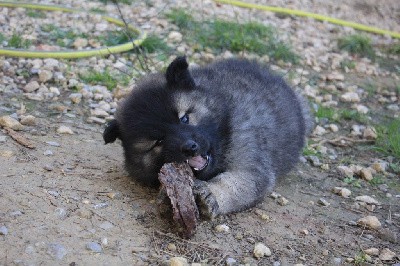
[(236, 37)]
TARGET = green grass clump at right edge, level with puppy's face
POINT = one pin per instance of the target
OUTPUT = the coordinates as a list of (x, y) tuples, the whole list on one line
[(389, 138)]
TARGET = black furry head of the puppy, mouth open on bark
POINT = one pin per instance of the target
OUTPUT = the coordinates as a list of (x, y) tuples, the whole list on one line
[(167, 119)]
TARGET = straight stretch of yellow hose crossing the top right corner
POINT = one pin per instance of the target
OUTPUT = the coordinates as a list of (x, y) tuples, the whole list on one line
[(311, 15)]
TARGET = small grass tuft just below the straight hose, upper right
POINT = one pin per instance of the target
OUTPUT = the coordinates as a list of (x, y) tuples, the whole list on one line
[(357, 44)]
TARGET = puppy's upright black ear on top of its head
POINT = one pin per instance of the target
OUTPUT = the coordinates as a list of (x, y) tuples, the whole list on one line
[(178, 74)]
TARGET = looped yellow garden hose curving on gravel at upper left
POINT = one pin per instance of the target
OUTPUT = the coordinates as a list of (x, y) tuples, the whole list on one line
[(71, 53)]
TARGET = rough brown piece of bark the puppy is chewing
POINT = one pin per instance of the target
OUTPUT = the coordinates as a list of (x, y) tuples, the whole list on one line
[(177, 181)]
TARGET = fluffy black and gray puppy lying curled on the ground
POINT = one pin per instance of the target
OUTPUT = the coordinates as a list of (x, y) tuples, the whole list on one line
[(250, 121)]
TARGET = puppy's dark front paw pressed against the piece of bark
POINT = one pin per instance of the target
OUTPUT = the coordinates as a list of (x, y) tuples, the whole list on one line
[(205, 200)]
